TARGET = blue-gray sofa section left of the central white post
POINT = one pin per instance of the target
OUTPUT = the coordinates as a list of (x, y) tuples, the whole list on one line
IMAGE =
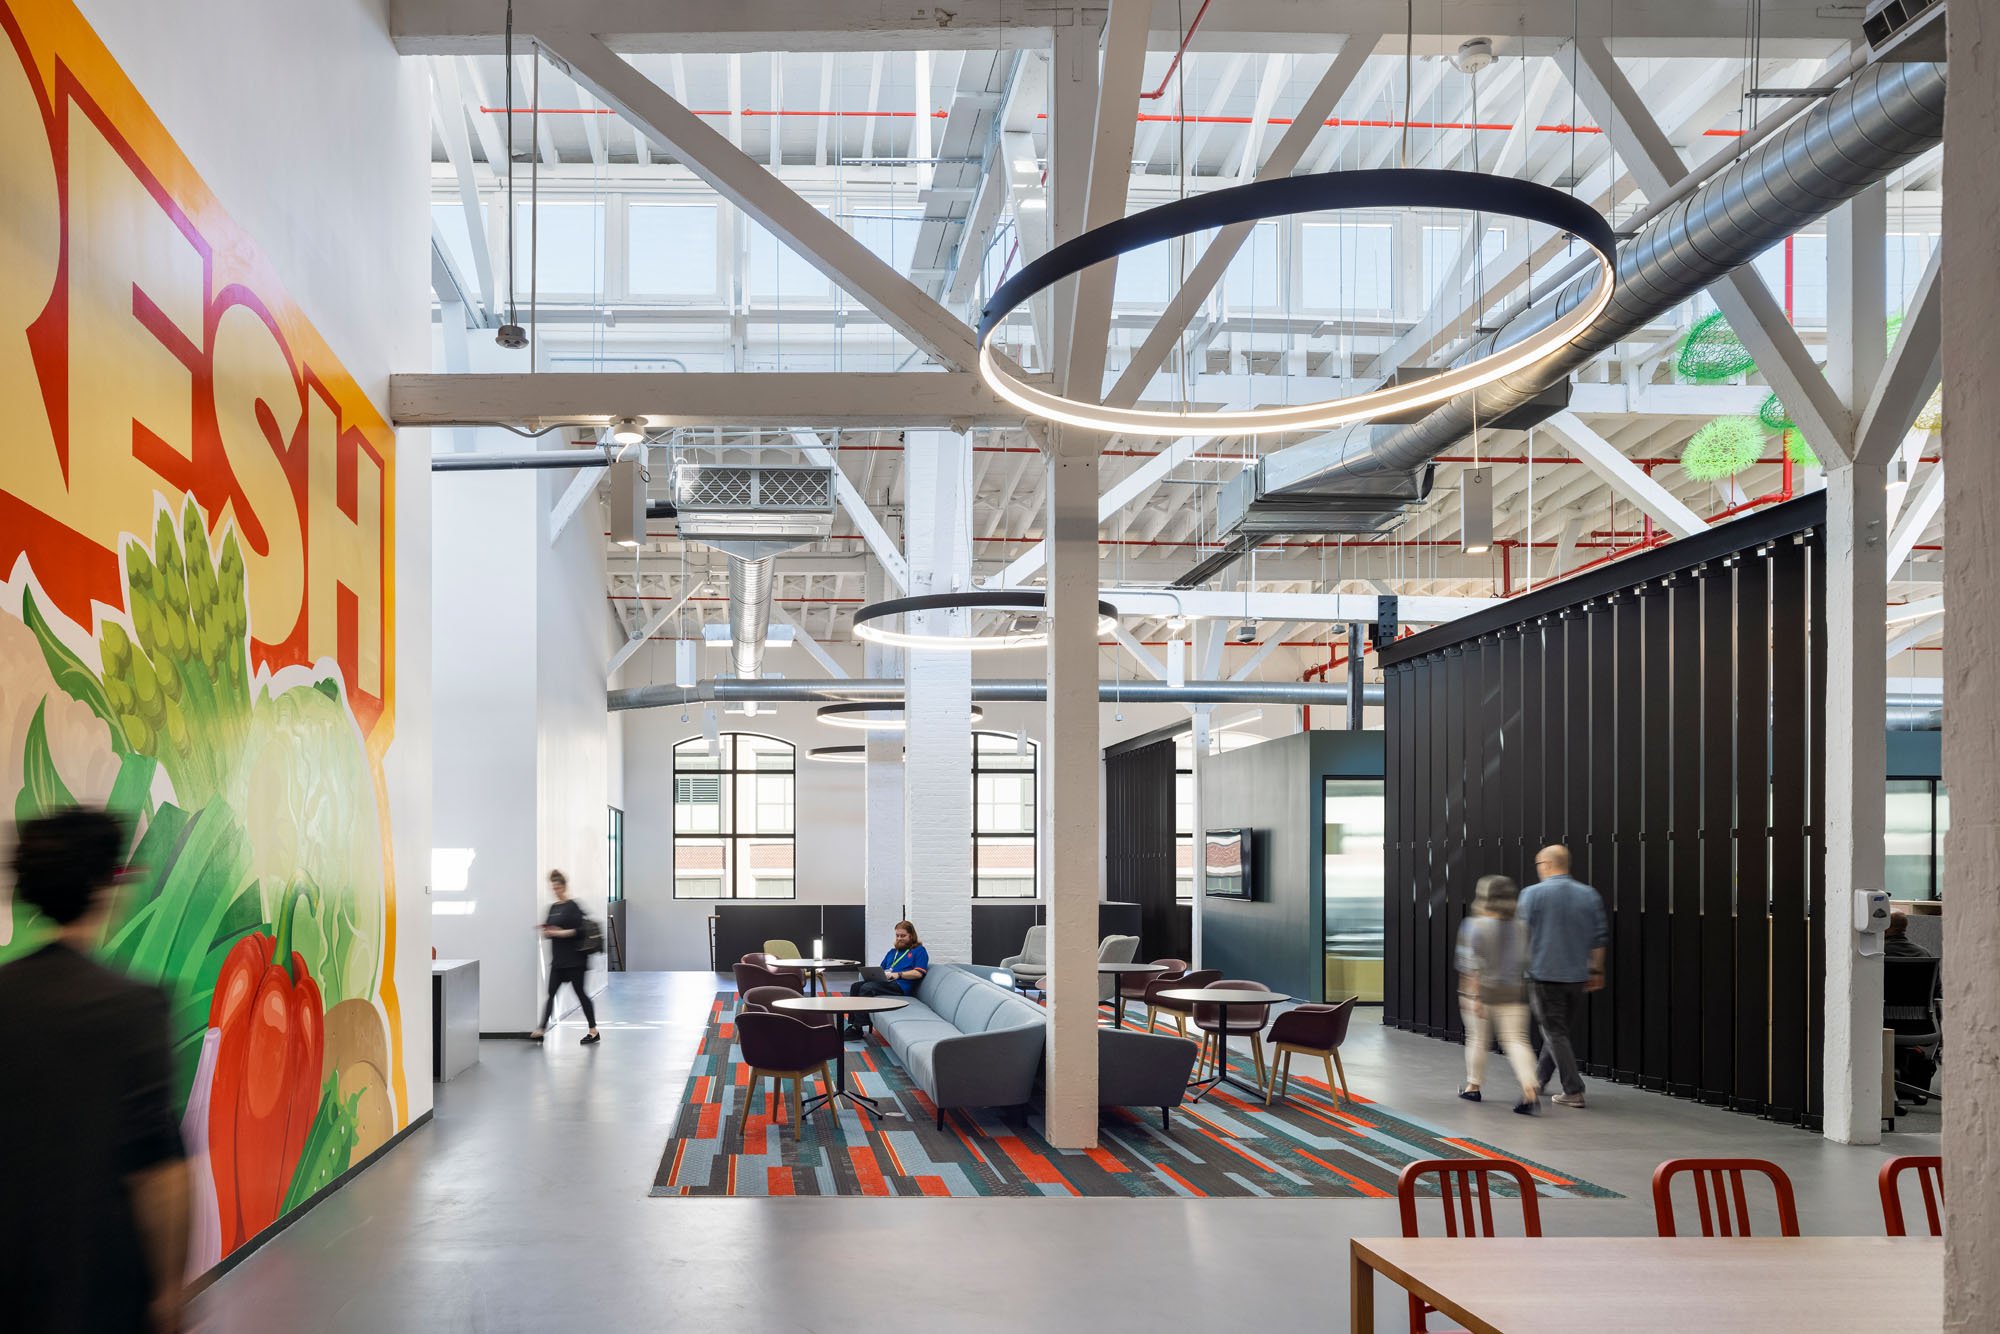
[(967, 1041)]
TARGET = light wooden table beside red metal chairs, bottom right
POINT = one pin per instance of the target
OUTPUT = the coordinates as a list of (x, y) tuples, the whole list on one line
[(1639, 1285)]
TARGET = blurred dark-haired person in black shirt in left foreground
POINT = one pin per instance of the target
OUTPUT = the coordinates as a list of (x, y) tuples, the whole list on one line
[(95, 1203)]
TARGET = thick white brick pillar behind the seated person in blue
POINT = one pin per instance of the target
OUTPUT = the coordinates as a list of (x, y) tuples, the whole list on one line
[(937, 805)]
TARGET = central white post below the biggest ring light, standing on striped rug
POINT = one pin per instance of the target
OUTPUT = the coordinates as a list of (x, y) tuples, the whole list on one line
[(1071, 775)]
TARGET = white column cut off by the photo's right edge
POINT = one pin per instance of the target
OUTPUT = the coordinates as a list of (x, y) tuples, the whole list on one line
[(1973, 679)]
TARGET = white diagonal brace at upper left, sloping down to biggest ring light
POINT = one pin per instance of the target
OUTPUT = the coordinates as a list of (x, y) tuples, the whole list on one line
[(763, 197)]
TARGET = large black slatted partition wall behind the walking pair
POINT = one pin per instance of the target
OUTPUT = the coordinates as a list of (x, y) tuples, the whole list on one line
[(1661, 717)]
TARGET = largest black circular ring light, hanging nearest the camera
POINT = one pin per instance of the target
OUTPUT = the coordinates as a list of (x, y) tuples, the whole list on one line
[(1279, 199)]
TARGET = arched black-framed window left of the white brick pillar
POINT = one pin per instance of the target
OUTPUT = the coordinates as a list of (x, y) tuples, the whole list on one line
[(735, 817)]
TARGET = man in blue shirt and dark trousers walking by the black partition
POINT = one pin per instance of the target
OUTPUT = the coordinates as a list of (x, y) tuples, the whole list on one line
[(1567, 933)]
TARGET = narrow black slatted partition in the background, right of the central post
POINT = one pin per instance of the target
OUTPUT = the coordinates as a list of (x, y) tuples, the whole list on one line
[(1139, 845)]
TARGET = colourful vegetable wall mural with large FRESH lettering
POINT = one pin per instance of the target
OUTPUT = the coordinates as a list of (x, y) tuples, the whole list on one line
[(197, 627)]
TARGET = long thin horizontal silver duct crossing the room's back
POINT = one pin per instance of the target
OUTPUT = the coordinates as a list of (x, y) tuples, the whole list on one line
[(987, 693)]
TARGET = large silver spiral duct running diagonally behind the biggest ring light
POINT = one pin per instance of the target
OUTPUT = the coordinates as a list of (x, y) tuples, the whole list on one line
[(1883, 119)]
